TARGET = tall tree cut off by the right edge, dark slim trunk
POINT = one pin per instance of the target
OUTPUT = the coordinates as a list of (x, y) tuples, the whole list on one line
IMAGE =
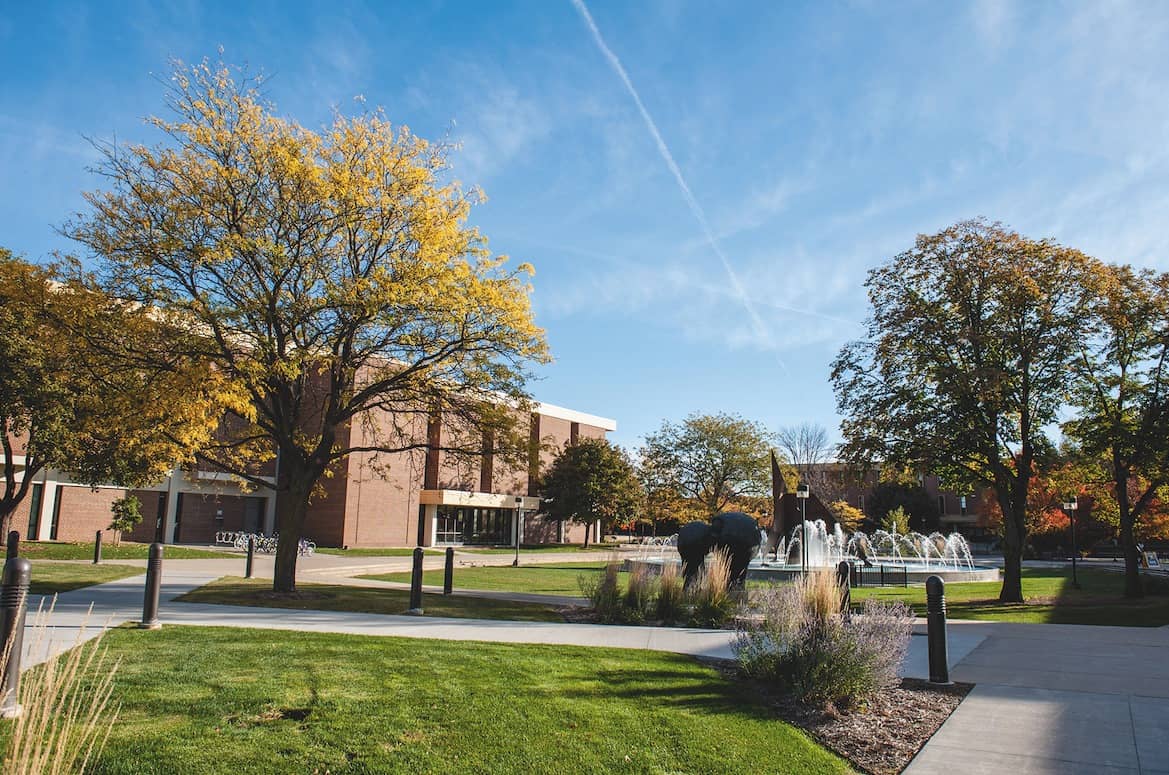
[(1122, 393)]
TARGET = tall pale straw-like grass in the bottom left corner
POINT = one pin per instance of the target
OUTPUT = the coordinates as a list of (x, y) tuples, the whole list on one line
[(66, 705)]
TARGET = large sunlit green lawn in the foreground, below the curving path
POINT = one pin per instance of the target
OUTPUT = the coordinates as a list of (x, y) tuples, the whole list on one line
[(204, 701)]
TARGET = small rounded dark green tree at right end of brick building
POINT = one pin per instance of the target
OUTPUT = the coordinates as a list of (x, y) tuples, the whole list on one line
[(591, 481)]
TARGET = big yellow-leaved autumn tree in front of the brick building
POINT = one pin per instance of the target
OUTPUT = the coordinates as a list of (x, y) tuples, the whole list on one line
[(331, 275)]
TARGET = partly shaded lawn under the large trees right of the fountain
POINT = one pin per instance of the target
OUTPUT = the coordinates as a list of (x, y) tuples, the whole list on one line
[(1050, 598)]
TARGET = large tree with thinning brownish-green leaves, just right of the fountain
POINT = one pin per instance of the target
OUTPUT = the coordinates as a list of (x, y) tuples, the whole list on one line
[(965, 364)]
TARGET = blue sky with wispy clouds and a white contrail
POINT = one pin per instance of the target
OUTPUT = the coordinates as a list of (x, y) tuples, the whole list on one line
[(815, 141)]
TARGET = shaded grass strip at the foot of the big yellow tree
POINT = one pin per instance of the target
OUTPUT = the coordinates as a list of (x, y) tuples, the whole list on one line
[(232, 591)]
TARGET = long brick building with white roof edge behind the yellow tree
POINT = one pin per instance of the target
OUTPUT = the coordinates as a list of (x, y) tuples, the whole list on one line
[(403, 500)]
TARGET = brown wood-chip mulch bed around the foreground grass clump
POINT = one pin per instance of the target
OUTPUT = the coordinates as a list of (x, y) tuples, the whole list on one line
[(881, 738)]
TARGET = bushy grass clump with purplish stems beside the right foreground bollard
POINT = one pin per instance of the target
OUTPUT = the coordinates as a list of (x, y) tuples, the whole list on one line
[(803, 643)]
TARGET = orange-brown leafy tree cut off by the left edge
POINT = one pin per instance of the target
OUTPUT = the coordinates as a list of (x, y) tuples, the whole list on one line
[(72, 400)]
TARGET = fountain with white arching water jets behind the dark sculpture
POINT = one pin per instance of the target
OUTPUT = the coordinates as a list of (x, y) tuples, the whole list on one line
[(915, 555)]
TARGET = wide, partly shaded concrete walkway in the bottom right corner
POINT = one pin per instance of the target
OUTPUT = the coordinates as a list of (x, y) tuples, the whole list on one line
[(1057, 698)]
